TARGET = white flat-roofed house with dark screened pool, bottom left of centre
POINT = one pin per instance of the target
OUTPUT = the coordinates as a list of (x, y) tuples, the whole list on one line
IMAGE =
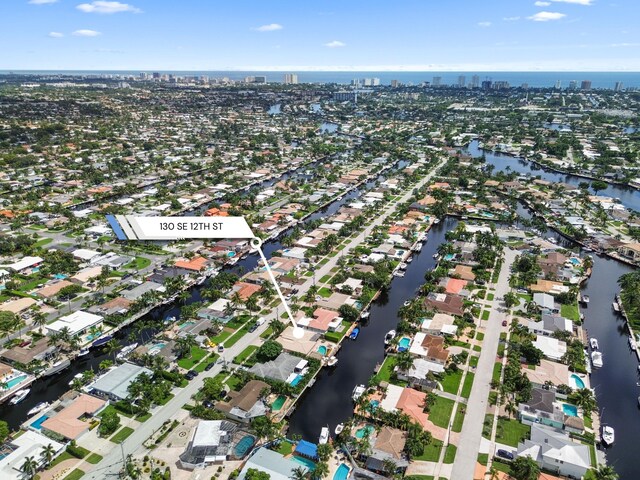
[(215, 441)]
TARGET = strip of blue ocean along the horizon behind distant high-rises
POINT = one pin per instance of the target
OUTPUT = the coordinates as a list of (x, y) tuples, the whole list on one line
[(534, 79)]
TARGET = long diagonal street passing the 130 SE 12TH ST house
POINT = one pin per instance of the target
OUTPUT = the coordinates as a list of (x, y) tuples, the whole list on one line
[(112, 463)]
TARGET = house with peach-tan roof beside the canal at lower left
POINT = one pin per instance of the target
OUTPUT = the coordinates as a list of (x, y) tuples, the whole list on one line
[(73, 418)]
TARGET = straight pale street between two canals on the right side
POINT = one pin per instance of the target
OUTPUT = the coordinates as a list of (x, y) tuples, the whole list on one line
[(471, 435)]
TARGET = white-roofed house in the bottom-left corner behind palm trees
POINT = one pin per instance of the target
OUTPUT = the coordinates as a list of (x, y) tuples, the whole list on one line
[(15, 450)]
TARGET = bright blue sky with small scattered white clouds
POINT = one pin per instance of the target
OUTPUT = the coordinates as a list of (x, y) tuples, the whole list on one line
[(298, 35)]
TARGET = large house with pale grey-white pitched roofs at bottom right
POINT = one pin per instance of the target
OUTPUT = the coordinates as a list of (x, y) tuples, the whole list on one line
[(554, 451)]
